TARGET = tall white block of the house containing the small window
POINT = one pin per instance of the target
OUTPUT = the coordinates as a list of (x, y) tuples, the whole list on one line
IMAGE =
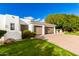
[(10, 23)]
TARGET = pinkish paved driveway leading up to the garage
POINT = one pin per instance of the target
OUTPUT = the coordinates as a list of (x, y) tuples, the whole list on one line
[(69, 42)]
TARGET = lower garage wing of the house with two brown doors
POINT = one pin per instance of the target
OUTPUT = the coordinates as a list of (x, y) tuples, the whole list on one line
[(40, 28)]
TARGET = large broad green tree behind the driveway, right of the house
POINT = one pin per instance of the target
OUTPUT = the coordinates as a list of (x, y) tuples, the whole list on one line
[(67, 22)]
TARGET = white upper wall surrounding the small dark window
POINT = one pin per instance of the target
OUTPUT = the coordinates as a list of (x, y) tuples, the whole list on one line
[(5, 21)]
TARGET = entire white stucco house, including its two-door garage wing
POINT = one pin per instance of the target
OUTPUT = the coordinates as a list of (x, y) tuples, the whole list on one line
[(14, 25)]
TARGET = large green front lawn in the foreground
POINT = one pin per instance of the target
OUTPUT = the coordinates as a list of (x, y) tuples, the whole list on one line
[(33, 47)]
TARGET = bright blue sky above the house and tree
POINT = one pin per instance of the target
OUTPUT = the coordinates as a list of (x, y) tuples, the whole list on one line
[(38, 11)]
